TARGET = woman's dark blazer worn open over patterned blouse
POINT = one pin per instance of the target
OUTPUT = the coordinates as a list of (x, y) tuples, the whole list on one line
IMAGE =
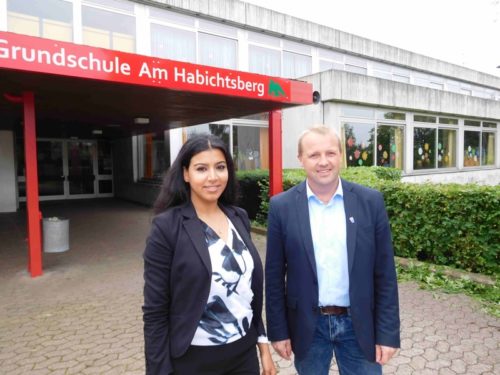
[(177, 275)]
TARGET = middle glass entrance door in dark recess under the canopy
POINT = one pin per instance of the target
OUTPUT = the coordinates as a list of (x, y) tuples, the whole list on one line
[(81, 168)]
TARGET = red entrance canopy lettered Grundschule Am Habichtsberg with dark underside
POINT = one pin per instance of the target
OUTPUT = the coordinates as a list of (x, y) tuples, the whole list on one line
[(79, 89)]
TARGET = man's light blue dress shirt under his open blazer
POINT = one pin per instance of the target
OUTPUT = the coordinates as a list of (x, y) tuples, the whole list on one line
[(328, 229)]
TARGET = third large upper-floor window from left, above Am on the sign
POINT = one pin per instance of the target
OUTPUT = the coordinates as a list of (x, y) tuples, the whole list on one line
[(172, 43)]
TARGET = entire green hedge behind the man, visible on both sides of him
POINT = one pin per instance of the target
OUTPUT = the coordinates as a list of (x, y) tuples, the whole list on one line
[(446, 224)]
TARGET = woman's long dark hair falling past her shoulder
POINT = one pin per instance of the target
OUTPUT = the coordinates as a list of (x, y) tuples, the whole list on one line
[(175, 191)]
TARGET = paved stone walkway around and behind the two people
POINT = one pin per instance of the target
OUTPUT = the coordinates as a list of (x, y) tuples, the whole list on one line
[(83, 316)]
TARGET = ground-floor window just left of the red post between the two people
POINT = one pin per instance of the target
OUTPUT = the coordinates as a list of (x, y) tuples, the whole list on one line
[(250, 147)]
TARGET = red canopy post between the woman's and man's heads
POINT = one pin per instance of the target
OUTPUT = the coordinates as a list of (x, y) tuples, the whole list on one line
[(275, 153)]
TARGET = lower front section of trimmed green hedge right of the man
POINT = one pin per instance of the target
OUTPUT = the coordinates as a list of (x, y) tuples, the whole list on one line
[(446, 224)]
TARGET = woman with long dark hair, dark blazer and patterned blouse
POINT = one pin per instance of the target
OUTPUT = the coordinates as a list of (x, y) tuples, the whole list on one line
[(203, 276)]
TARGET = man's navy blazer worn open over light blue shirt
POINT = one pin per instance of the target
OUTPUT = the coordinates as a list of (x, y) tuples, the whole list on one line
[(292, 281)]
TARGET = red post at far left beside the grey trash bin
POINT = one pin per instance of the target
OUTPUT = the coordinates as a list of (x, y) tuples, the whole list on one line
[(32, 203)]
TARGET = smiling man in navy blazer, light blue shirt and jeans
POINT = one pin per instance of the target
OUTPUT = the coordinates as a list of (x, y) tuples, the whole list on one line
[(330, 277)]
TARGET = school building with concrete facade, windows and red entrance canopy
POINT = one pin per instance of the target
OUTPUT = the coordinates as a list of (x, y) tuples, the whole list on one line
[(97, 97)]
